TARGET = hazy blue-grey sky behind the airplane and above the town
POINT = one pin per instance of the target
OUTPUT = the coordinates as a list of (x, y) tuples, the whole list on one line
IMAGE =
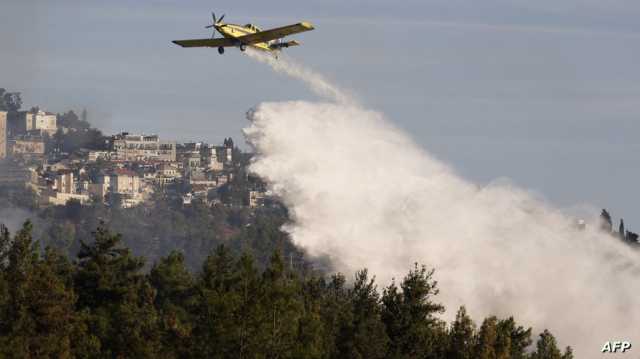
[(544, 93)]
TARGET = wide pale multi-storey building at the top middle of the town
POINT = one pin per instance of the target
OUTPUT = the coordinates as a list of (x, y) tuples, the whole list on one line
[(143, 148)]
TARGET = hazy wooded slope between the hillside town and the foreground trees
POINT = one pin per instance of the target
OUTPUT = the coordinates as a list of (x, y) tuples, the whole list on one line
[(162, 225)]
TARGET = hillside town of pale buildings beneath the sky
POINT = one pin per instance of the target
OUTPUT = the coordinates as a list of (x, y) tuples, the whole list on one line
[(61, 158)]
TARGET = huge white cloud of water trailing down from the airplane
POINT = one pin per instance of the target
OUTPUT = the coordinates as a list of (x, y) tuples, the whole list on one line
[(363, 193)]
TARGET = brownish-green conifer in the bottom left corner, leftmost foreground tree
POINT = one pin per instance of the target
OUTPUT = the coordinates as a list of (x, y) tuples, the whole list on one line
[(39, 318)]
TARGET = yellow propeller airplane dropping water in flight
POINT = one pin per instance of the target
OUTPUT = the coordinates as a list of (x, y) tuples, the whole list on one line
[(248, 35)]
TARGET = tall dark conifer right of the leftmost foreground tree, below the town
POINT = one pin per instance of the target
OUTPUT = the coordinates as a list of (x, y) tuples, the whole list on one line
[(118, 297)]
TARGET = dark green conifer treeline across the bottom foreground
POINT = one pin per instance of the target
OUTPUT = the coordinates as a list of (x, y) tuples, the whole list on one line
[(103, 305)]
